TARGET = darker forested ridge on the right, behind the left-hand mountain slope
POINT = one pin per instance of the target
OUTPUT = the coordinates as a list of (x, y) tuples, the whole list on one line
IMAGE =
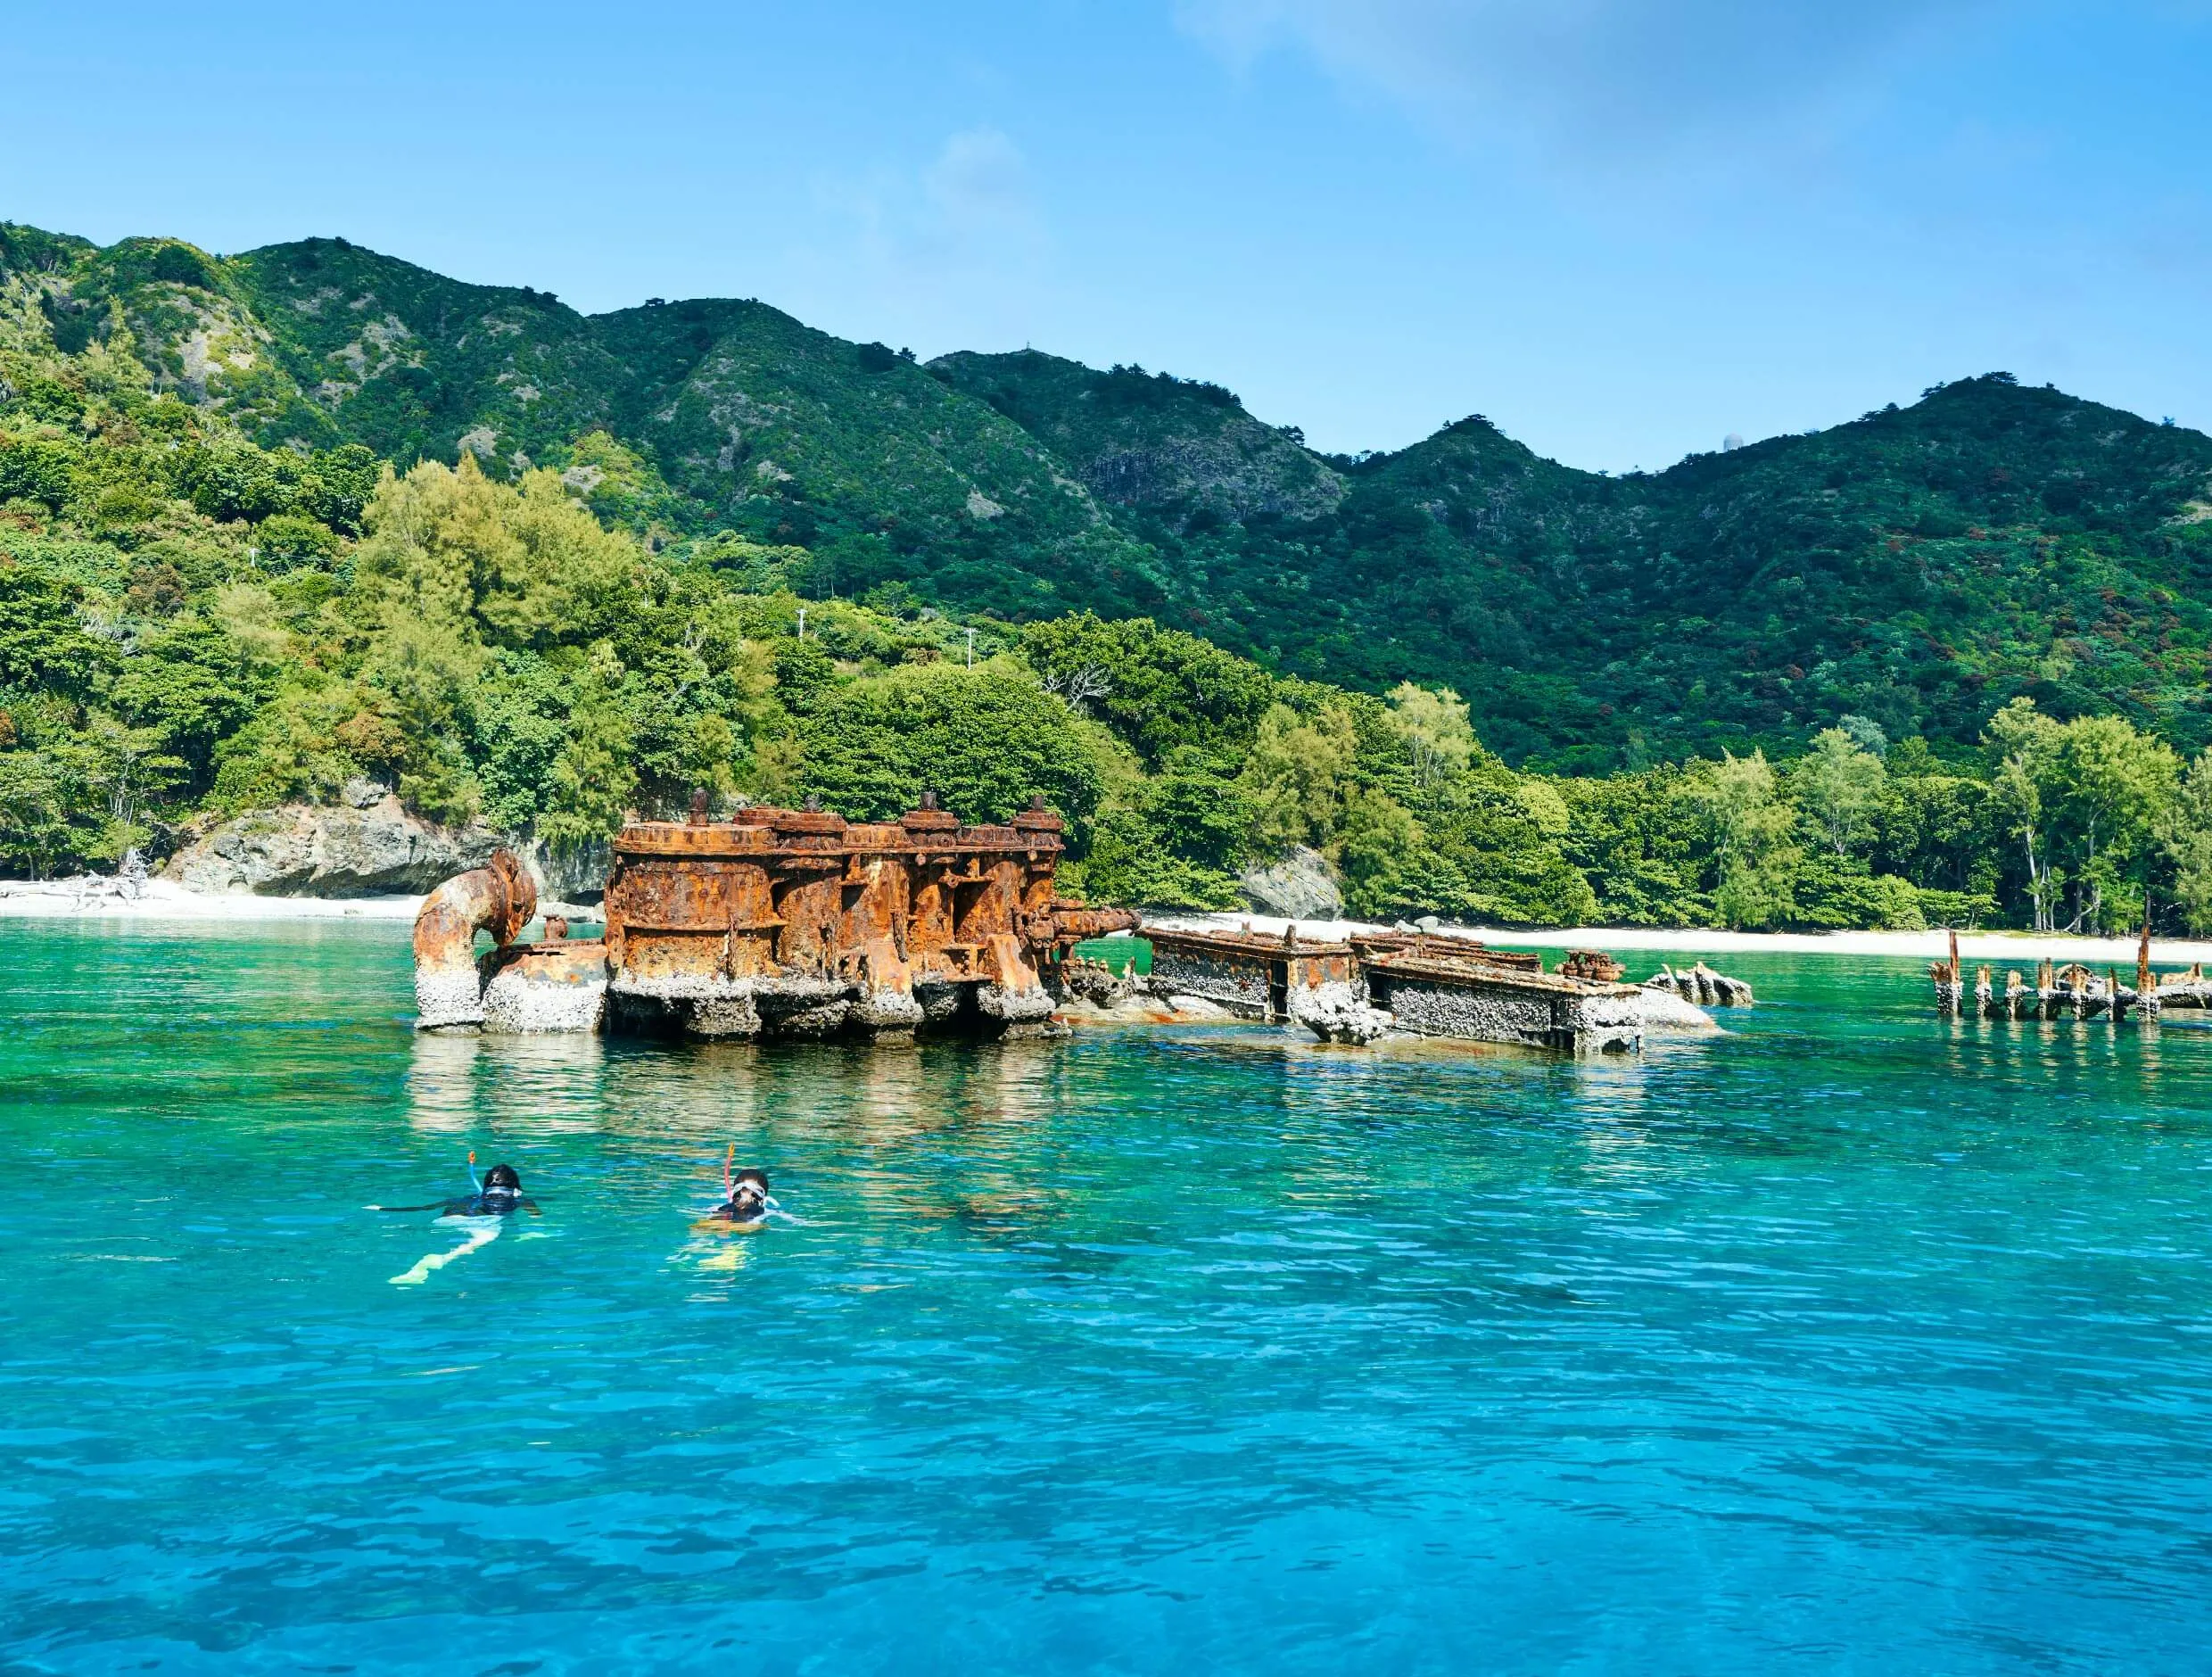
[(1919, 565)]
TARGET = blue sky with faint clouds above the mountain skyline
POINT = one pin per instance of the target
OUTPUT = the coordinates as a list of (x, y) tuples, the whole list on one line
[(1620, 229)]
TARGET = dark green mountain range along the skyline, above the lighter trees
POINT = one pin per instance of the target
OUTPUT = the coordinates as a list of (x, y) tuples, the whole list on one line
[(1917, 567)]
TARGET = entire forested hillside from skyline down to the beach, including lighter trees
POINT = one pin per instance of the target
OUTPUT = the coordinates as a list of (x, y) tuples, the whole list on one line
[(313, 523)]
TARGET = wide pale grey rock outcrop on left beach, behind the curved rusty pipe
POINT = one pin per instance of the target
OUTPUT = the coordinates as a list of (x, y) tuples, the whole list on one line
[(364, 846)]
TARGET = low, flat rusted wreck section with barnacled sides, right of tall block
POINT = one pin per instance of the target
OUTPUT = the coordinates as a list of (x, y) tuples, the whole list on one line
[(1361, 988)]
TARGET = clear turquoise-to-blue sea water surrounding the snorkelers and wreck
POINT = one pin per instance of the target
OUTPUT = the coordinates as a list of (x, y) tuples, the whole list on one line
[(1853, 1342)]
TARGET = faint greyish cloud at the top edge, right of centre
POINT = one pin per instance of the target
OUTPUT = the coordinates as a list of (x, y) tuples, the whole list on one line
[(1594, 81)]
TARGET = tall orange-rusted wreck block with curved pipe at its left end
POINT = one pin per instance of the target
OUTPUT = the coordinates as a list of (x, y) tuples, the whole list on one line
[(773, 924)]
